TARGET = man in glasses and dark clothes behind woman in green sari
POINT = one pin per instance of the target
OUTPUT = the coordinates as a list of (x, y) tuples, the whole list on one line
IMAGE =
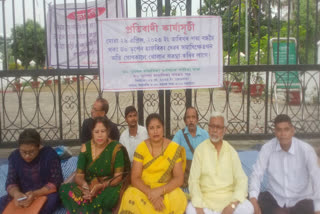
[(99, 109)]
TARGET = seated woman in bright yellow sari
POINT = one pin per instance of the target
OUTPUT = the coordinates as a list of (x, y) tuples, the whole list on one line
[(157, 174)]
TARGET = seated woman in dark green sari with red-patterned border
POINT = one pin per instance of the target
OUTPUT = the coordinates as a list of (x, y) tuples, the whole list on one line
[(100, 169)]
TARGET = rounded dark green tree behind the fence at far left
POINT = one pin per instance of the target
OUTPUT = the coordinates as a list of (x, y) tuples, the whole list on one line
[(29, 43)]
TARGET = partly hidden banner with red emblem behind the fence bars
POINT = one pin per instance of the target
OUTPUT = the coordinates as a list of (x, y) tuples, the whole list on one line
[(72, 32)]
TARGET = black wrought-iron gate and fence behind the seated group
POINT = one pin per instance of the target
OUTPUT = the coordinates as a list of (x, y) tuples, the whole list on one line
[(56, 100)]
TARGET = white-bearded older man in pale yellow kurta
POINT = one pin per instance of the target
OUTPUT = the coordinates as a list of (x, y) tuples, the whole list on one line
[(217, 182)]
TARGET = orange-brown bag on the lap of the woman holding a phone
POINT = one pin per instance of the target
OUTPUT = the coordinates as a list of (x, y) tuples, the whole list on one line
[(34, 208)]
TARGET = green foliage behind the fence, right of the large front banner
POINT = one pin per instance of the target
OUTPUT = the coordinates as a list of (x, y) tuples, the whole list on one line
[(233, 18)]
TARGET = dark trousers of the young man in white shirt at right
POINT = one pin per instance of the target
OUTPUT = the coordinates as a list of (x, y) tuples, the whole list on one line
[(269, 205)]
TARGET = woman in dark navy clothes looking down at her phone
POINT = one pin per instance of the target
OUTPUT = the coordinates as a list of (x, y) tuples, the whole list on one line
[(34, 170)]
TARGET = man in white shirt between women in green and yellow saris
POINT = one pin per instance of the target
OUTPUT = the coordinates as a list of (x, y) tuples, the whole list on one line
[(135, 133)]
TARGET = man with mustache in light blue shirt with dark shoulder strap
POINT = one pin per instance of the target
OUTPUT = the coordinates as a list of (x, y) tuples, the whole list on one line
[(190, 137)]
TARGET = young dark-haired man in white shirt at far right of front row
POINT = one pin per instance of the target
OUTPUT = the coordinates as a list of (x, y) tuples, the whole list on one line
[(292, 174)]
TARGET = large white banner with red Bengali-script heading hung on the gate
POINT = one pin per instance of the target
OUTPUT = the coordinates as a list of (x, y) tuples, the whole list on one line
[(160, 53)]
